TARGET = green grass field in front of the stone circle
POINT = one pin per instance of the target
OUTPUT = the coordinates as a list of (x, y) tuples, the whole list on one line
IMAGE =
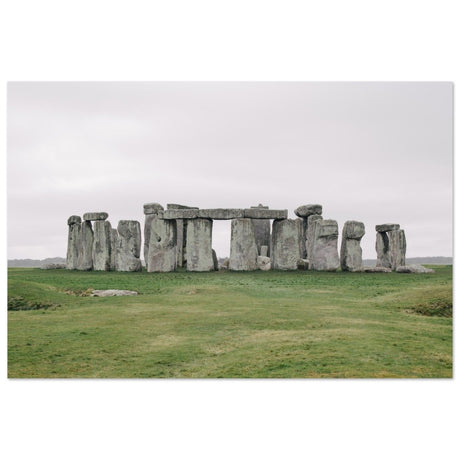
[(224, 324)]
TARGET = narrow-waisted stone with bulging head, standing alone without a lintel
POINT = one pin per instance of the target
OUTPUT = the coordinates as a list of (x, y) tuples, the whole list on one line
[(351, 254)]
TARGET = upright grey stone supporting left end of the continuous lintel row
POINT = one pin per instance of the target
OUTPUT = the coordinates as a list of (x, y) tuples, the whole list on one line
[(162, 246)]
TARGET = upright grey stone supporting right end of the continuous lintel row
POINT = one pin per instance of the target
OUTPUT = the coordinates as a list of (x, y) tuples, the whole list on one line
[(285, 250)]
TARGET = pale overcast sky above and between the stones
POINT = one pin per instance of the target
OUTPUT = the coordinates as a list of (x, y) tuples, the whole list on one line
[(373, 152)]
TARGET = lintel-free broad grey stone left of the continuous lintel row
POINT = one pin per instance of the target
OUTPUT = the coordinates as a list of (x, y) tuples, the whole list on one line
[(128, 247)]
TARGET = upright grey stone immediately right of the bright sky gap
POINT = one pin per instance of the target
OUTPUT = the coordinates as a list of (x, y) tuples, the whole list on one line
[(243, 248)]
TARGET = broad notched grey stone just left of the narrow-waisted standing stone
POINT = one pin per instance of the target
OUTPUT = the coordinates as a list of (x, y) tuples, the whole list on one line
[(325, 256)]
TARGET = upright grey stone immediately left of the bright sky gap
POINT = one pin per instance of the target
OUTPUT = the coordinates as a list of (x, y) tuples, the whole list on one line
[(199, 249)]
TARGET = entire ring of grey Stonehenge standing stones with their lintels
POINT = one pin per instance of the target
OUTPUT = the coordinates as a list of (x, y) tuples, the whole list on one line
[(261, 239)]
